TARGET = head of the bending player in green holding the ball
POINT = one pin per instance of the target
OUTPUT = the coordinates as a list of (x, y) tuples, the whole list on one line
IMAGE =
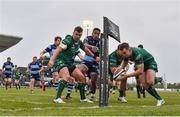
[(125, 49)]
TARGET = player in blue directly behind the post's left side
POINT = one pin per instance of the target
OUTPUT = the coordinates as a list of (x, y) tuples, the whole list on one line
[(92, 42)]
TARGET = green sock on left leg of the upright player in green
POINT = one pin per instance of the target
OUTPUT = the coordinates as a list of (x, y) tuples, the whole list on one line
[(61, 86)]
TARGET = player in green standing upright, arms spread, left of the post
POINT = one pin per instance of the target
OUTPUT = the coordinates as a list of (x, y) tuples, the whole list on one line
[(64, 54)]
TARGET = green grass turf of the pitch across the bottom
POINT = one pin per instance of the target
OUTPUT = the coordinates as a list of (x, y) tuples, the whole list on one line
[(21, 102)]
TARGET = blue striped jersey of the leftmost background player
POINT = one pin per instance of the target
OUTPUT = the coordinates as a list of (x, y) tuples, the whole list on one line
[(8, 66)]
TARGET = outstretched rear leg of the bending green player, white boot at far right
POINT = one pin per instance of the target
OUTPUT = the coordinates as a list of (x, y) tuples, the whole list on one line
[(150, 76)]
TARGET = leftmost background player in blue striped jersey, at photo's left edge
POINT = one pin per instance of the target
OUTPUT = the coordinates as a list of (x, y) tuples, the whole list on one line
[(7, 70)]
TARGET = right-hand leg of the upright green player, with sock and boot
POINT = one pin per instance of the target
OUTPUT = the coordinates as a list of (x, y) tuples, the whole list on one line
[(82, 82)]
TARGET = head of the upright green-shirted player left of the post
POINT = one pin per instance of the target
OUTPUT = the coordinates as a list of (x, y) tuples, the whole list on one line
[(77, 33)]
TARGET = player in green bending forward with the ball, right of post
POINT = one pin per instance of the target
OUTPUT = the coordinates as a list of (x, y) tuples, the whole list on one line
[(146, 68)]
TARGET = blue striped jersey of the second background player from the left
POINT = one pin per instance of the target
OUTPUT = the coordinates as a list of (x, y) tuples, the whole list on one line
[(34, 68)]
